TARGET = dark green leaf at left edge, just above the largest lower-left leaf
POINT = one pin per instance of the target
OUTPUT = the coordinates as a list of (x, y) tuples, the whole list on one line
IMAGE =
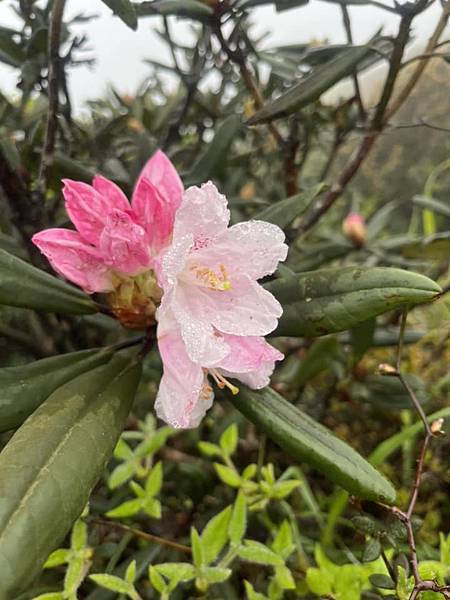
[(24, 388)]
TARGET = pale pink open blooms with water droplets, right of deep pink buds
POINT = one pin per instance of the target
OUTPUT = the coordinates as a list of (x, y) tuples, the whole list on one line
[(214, 314)]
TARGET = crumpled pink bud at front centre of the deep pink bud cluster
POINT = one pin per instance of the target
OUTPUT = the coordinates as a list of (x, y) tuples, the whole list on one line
[(123, 244)]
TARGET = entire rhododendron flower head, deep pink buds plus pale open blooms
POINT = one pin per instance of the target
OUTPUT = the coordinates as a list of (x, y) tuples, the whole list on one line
[(176, 249)]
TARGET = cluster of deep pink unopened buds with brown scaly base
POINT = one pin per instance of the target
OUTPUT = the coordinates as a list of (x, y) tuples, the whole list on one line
[(116, 243)]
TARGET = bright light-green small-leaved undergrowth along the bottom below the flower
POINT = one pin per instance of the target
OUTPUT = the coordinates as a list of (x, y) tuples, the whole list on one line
[(225, 544)]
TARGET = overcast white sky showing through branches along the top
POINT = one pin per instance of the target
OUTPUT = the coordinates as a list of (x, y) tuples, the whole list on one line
[(120, 52)]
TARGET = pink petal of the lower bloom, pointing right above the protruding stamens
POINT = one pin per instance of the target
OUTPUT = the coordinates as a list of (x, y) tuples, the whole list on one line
[(248, 353)]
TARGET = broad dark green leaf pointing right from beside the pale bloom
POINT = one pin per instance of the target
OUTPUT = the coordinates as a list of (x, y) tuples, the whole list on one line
[(330, 300)]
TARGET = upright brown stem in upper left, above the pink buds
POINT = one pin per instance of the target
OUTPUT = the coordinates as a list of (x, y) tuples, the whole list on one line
[(53, 91)]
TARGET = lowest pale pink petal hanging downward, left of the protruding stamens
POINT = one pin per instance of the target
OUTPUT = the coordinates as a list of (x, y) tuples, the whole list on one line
[(184, 394)]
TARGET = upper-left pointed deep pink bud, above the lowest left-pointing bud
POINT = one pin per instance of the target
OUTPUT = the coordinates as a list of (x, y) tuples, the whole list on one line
[(87, 209)]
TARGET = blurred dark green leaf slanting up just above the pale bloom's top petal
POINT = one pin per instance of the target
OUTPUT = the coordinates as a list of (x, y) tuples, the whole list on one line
[(215, 151)]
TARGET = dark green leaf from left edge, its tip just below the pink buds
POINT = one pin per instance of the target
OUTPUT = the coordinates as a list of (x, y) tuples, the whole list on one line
[(24, 286)]
